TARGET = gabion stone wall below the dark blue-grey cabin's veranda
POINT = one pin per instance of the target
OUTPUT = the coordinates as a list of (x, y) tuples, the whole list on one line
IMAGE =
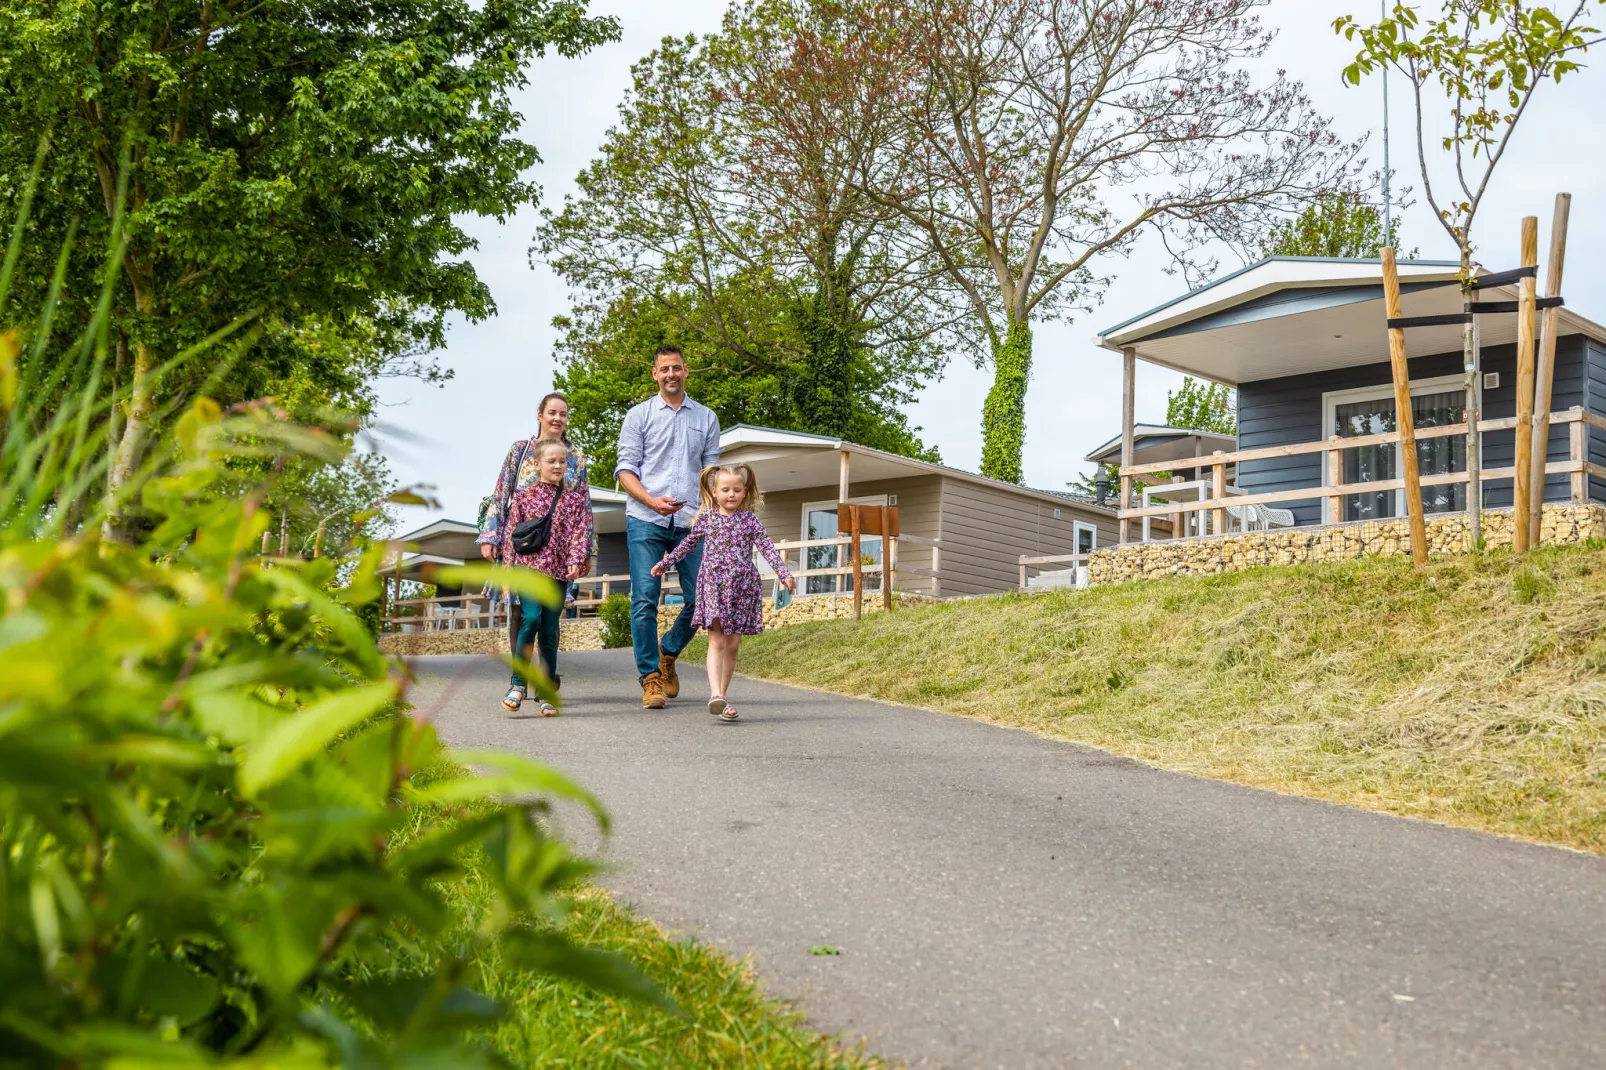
[(1448, 534)]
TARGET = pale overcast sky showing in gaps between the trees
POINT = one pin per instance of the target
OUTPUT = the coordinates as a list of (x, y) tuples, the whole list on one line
[(455, 436)]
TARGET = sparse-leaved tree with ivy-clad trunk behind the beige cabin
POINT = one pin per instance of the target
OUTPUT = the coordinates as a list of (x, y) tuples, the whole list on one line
[(1017, 118)]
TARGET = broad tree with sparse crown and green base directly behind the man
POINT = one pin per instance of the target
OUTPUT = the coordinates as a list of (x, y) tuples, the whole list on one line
[(722, 208)]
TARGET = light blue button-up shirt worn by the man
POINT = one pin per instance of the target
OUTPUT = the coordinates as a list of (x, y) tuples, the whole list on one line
[(667, 449)]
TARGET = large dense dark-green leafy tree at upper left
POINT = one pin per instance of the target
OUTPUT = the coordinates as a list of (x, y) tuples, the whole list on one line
[(301, 165)]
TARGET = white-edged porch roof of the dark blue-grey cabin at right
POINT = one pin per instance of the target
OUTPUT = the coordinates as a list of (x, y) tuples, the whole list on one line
[(1295, 316)]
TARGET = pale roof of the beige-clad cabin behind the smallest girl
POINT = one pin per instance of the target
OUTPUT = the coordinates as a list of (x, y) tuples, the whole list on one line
[(793, 460)]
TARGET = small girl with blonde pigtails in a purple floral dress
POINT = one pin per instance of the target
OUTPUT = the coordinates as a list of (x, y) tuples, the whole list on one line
[(730, 590)]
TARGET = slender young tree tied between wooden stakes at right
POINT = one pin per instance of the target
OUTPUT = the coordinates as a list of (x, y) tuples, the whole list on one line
[(1490, 59)]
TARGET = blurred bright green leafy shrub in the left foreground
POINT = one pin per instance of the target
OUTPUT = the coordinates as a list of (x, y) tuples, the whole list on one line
[(222, 838)]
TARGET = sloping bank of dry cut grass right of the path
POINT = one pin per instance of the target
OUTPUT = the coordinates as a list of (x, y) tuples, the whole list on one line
[(1470, 693)]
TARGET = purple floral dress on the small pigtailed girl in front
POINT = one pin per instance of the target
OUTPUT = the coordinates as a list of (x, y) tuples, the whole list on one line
[(730, 589)]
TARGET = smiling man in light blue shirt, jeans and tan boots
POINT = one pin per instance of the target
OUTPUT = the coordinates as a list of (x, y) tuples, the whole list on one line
[(662, 449)]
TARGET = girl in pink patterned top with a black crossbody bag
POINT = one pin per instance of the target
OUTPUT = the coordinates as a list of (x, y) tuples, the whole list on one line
[(563, 558)]
